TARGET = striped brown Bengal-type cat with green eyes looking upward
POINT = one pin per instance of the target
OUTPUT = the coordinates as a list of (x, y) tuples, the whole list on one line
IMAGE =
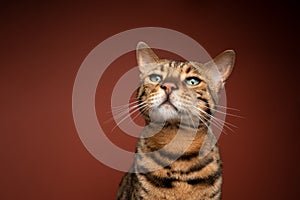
[(174, 159)]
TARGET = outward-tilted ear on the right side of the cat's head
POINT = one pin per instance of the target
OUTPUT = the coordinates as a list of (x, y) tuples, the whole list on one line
[(224, 63)]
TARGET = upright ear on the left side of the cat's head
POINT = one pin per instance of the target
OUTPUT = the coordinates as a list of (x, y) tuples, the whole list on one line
[(145, 56)]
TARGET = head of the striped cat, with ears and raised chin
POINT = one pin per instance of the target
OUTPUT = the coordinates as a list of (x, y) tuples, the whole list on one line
[(174, 90)]
